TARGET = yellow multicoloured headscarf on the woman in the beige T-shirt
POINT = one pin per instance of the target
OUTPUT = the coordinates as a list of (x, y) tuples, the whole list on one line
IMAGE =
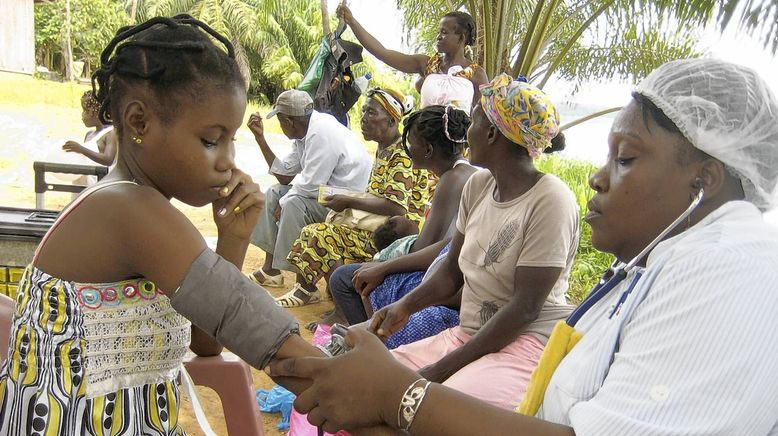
[(521, 112)]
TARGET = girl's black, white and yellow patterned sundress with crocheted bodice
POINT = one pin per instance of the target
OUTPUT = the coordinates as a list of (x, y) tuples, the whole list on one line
[(92, 359)]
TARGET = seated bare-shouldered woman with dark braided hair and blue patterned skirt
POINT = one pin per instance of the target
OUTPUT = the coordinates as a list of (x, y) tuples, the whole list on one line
[(434, 138)]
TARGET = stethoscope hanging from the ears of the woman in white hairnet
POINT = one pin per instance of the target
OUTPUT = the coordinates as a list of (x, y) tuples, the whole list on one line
[(618, 270)]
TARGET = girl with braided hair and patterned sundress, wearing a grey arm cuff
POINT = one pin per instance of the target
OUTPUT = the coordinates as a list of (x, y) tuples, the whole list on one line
[(98, 333)]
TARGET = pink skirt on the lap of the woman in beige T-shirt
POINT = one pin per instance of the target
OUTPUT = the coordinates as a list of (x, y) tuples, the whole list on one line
[(498, 378)]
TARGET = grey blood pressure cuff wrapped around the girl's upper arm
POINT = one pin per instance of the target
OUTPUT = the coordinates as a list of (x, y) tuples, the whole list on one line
[(216, 297)]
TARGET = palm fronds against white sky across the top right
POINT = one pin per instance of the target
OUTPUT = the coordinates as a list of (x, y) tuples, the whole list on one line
[(589, 39)]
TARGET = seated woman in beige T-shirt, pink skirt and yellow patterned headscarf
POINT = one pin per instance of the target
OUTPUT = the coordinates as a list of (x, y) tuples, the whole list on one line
[(517, 233)]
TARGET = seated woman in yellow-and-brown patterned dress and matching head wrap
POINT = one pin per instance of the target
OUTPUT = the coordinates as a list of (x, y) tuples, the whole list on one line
[(395, 187)]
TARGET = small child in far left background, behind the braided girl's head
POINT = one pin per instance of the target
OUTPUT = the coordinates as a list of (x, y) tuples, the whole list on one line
[(102, 137)]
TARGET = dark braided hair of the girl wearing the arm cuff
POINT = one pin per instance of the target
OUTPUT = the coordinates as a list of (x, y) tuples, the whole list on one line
[(168, 57)]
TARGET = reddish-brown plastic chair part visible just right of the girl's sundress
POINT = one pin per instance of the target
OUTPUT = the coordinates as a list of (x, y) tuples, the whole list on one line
[(230, 377)]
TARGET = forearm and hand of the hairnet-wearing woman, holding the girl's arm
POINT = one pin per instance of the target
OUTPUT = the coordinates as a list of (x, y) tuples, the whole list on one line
[(346, 394)]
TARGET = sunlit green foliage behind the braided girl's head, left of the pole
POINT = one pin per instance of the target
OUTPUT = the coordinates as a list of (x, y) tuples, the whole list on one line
[(274, 40)]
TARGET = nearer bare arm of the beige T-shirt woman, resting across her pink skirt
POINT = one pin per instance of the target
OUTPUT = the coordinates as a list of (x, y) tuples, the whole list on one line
[(531, 287)]
